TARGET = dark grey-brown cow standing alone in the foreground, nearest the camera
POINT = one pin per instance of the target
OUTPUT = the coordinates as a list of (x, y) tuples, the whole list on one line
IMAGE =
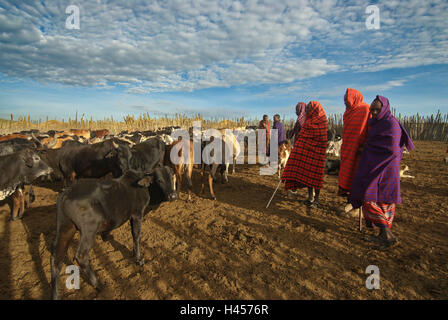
[(94, 206)]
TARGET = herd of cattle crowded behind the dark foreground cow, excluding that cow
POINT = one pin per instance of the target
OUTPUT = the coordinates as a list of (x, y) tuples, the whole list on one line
[(79, 153)]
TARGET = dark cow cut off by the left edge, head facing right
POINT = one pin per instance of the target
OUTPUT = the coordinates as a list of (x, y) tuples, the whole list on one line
[(18, 169)]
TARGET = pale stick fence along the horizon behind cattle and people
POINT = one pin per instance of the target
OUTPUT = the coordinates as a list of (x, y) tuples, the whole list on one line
[(424, 128)]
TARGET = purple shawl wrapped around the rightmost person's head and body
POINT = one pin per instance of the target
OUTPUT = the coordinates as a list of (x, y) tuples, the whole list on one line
[(378, 176)]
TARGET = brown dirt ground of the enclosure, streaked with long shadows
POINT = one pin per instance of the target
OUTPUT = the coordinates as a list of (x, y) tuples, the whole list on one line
[(234, 248)]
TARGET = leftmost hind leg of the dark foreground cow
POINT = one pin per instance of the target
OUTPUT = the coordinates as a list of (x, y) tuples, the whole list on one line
[(60, 245)]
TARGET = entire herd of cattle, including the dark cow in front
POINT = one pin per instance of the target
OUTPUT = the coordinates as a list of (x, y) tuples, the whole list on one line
[(142, 172)]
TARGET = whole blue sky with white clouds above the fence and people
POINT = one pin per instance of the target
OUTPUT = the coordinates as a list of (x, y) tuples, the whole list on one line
[(219, 58)]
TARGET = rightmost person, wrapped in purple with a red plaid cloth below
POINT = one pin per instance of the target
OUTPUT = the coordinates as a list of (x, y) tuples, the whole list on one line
[(376, 185)]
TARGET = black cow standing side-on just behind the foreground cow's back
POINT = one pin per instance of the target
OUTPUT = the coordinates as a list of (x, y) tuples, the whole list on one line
[(89, 161)]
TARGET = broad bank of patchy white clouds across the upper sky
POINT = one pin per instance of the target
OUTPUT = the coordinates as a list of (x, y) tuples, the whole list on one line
[(153, 46)]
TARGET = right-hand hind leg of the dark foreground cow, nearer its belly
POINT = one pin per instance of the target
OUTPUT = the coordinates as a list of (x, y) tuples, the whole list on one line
[(82, 255)]
